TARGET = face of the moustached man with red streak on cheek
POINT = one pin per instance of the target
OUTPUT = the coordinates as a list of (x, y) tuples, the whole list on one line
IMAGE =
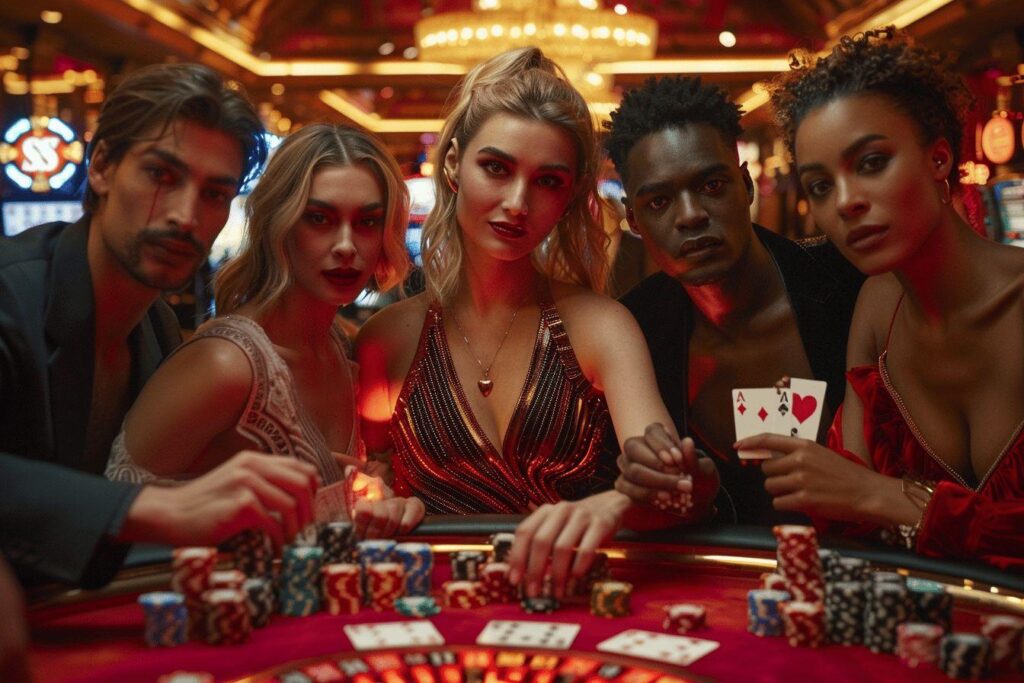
[(164, 202)]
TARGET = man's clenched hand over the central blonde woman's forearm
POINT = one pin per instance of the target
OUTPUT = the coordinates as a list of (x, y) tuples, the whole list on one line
[(658, 469)]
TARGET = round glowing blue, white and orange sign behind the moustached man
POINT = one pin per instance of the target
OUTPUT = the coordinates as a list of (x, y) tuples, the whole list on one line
[(40, 154)]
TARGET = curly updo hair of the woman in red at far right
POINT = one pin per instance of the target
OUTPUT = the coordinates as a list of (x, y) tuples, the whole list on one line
[(920, 82)]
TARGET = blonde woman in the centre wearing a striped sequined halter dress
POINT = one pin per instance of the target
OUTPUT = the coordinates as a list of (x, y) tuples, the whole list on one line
[(495, 388)]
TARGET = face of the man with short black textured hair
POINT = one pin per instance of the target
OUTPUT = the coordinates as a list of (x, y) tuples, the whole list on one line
[(690, 199)]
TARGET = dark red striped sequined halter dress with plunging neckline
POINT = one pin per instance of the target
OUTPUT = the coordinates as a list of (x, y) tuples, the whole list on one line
[(552, 448)]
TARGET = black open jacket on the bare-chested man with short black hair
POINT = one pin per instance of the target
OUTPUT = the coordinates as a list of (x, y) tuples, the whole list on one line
[(823, 288)]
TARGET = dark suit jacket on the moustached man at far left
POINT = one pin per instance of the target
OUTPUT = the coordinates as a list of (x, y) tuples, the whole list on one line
[(57, 516)]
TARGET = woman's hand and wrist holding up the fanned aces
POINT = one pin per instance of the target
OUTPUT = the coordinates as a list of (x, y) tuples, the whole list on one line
[(808, 478)]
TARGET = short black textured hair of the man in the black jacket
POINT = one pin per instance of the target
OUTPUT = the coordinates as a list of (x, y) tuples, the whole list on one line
[(668, 103)]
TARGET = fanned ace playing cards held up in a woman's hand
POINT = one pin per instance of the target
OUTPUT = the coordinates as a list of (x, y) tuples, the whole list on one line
[(792, 412)]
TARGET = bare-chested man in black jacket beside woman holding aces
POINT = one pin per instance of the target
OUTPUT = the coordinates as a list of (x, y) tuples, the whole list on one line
[(736, 306)]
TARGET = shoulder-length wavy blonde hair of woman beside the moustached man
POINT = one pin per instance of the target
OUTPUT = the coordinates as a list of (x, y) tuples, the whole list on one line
[(261, 274)]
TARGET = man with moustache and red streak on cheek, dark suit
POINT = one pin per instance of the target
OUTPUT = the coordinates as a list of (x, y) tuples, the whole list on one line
[(82, 327)]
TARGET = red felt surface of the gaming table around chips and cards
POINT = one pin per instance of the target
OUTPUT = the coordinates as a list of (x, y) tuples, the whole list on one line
[(105, 643)]
